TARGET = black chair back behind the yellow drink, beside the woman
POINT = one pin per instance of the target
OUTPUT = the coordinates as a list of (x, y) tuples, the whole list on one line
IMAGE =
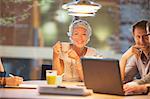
[(44, 68)]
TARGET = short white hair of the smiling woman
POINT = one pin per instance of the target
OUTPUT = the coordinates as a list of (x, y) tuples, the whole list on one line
[(80, 23)]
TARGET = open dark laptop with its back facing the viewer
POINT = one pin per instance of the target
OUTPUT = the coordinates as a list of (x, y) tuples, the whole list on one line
[(102, 75)]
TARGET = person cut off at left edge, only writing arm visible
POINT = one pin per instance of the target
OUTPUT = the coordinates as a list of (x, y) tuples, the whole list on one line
[(9, 81)]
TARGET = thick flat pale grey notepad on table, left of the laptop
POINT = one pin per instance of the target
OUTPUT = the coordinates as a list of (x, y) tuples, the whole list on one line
[(64, 90)]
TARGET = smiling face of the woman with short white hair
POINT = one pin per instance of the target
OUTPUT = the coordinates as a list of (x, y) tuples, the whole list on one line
[(80, 37)]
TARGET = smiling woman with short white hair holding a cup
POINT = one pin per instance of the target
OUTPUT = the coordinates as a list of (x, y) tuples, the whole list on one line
[(66, 56)]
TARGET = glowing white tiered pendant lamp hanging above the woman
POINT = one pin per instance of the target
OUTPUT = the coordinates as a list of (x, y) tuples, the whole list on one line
[(82, 8)]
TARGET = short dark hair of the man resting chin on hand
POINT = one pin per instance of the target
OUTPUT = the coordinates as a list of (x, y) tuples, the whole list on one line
[(141, 24)]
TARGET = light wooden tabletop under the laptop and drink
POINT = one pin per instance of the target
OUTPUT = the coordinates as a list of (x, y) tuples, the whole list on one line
[(33, 93)]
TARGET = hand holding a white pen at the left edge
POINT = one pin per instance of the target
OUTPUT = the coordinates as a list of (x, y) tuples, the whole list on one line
[(13, 81)]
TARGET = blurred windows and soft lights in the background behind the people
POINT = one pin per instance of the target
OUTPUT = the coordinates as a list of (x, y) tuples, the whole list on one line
[(29, 29)]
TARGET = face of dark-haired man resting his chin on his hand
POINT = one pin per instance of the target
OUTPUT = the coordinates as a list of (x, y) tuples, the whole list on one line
[(141, 38)]
